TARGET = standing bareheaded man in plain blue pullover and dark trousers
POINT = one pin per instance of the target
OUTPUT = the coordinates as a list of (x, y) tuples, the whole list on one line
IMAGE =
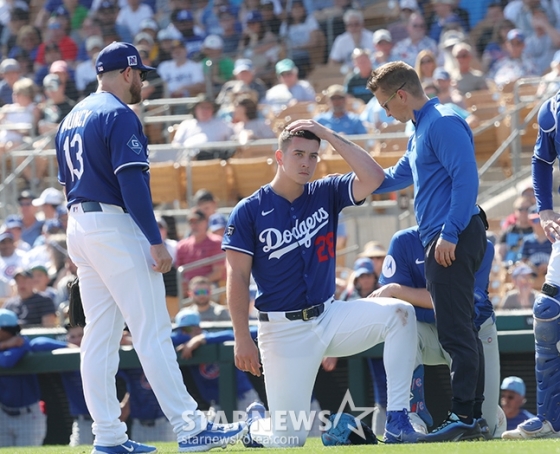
[(440, 162)]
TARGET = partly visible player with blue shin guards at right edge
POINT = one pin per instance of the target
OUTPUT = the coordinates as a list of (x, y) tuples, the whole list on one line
[(546, 310)]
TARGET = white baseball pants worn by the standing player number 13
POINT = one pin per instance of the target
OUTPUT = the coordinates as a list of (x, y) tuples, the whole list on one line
[(118, 285)]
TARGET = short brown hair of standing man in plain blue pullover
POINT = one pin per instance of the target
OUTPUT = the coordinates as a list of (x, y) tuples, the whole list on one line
[(390, 76)]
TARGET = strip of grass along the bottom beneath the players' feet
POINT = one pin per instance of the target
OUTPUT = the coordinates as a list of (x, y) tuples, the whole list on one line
[(314, 445)]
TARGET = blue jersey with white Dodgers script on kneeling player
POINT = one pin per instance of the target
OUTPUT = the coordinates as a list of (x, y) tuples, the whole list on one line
[(293, 245)]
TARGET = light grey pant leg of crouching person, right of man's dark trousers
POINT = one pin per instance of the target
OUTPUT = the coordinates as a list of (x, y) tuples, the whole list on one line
[(488, 334)]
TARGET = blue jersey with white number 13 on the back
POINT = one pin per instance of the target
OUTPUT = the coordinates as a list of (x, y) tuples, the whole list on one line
[(97, 139)]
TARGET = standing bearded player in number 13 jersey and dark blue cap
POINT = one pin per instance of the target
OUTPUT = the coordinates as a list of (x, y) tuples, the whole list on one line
[(114, 240)]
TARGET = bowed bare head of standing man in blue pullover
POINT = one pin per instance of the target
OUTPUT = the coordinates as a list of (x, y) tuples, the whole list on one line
[(397, 87)]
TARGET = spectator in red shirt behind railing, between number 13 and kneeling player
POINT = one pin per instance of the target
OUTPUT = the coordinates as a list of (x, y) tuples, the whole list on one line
[(201, 244)]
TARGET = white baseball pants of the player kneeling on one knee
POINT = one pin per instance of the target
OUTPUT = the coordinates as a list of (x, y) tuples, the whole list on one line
[(291, 353)]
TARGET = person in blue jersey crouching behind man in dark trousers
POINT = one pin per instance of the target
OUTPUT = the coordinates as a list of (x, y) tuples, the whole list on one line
[(403, 277)]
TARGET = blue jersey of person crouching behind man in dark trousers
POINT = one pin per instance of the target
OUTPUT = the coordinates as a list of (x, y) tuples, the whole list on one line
[(404, 264)]
